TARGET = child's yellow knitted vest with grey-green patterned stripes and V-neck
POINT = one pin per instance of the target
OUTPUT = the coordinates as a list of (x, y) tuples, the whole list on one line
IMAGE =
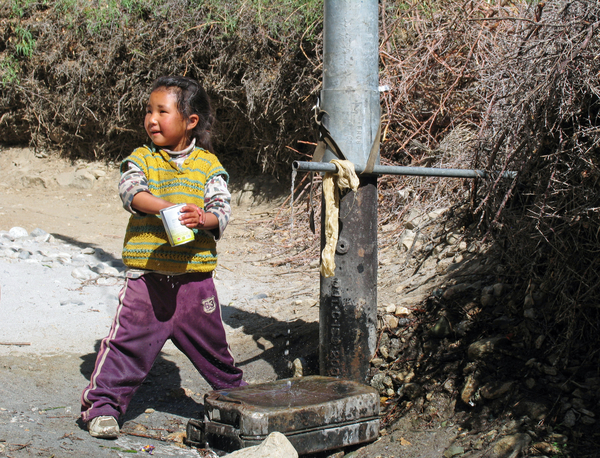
[(146, 245)]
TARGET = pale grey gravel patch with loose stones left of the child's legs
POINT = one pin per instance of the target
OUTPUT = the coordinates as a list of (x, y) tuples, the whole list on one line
[(57, 296)]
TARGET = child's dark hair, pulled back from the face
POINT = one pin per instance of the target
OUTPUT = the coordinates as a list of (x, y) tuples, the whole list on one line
[(191, 99)]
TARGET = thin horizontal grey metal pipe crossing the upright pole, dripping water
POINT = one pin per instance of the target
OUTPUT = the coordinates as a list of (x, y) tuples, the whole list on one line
[(304, 166)]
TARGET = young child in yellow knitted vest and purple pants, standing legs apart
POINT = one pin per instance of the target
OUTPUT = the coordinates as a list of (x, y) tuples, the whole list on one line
[(169, 292)]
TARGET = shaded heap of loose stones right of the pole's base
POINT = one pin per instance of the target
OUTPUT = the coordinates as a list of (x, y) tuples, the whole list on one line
[(462, 345)]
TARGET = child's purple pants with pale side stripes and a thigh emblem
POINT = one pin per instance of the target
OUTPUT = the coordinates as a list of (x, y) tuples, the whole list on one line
[(152, 309)]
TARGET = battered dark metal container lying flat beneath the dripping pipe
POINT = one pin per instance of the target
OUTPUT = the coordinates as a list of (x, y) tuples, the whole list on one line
[(315, 414)]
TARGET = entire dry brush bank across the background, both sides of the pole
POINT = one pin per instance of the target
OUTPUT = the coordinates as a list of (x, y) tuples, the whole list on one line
[(495, 85)]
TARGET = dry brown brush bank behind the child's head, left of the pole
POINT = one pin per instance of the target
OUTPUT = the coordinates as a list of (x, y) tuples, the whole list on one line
[(84, 87)]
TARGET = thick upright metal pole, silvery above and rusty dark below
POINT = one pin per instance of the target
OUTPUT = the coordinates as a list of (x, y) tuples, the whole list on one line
[(350, 97)]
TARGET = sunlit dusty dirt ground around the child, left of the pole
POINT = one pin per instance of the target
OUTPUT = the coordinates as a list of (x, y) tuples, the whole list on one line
[(49, 339)]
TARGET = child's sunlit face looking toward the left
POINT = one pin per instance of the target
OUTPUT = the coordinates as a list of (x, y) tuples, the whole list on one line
[(164, 123)]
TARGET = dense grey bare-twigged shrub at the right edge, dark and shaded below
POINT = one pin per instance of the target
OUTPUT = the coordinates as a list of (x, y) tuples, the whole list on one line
[(543, 103)]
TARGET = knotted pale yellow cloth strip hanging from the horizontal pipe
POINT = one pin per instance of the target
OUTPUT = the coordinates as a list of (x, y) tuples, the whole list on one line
[(345, 177)]
